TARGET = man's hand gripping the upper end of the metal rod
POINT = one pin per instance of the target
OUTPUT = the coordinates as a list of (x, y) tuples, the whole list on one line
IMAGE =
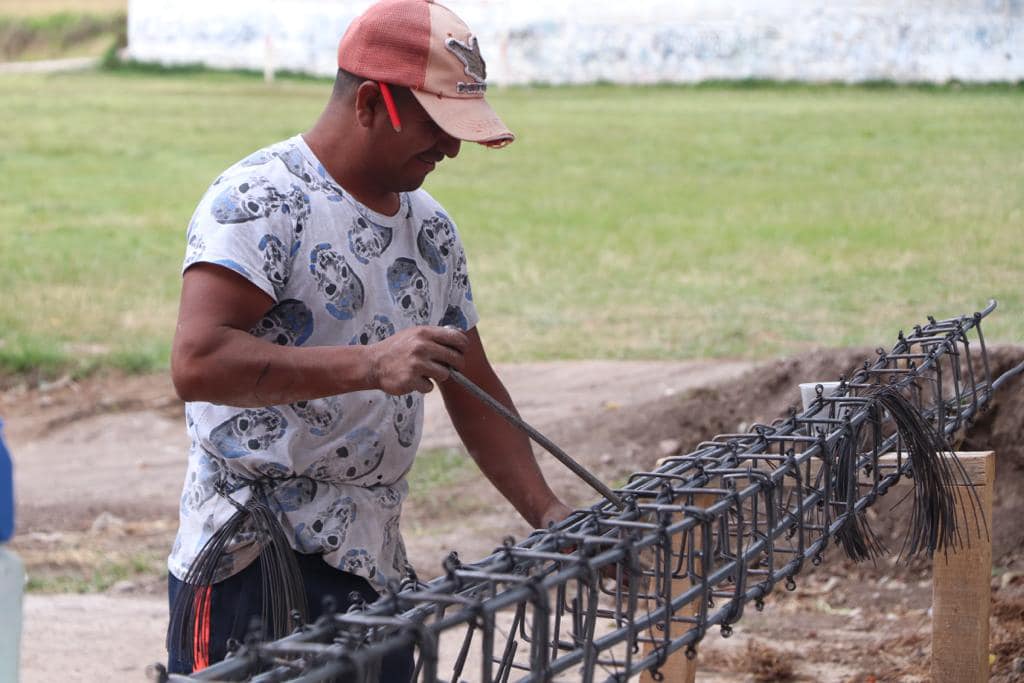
[(410, 360)]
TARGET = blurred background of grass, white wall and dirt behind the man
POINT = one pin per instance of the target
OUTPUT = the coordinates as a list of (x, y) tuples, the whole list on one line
[(697, 190)]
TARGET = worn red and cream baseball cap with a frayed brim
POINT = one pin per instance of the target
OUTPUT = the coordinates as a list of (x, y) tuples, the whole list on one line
[(423, 47)]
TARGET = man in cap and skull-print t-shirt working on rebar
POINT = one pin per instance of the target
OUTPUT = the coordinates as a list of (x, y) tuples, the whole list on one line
[(324, 292)]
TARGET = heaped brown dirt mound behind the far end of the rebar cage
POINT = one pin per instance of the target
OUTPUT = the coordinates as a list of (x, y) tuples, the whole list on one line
[(670, 425)]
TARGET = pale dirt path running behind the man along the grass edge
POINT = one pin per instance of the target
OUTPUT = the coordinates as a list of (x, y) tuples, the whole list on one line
[(117, 445)]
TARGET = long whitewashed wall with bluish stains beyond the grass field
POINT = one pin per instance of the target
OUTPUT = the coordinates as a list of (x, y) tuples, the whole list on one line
[(635, 41)]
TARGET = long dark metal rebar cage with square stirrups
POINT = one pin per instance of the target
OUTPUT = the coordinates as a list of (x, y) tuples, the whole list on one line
[(612, 592)]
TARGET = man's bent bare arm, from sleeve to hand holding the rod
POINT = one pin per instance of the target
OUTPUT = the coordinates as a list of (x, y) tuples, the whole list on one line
[(216, 359)]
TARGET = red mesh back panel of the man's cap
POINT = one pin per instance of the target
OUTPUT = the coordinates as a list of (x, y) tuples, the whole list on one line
[(390, 42)]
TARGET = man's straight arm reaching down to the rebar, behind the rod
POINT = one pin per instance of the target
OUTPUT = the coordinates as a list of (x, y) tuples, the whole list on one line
[(502, 451)]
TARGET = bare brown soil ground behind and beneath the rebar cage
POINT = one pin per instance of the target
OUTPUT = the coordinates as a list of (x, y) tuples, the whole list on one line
[(100, 464)]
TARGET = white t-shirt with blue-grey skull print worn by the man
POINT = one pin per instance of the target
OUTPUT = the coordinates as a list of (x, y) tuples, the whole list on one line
[(338, 274)]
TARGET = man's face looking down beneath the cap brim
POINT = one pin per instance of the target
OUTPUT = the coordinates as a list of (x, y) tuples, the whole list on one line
[(406, 158)]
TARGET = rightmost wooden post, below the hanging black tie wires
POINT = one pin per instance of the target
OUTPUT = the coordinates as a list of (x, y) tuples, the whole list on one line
[(961, 589)]
